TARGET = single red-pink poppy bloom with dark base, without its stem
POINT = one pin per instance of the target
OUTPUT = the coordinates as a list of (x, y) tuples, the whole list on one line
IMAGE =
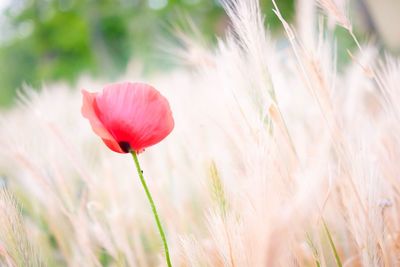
[(128, 116)]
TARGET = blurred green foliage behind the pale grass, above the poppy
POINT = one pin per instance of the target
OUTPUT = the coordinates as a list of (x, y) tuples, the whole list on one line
[(64, 39)]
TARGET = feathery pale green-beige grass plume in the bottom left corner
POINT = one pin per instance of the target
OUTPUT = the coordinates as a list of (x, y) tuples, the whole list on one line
[(16, 249)]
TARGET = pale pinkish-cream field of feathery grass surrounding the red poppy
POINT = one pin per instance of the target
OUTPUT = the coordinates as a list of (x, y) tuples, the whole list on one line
[(278, 158)]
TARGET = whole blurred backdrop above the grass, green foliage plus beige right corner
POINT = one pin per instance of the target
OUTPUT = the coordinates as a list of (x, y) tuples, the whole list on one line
[(44, 41)]
